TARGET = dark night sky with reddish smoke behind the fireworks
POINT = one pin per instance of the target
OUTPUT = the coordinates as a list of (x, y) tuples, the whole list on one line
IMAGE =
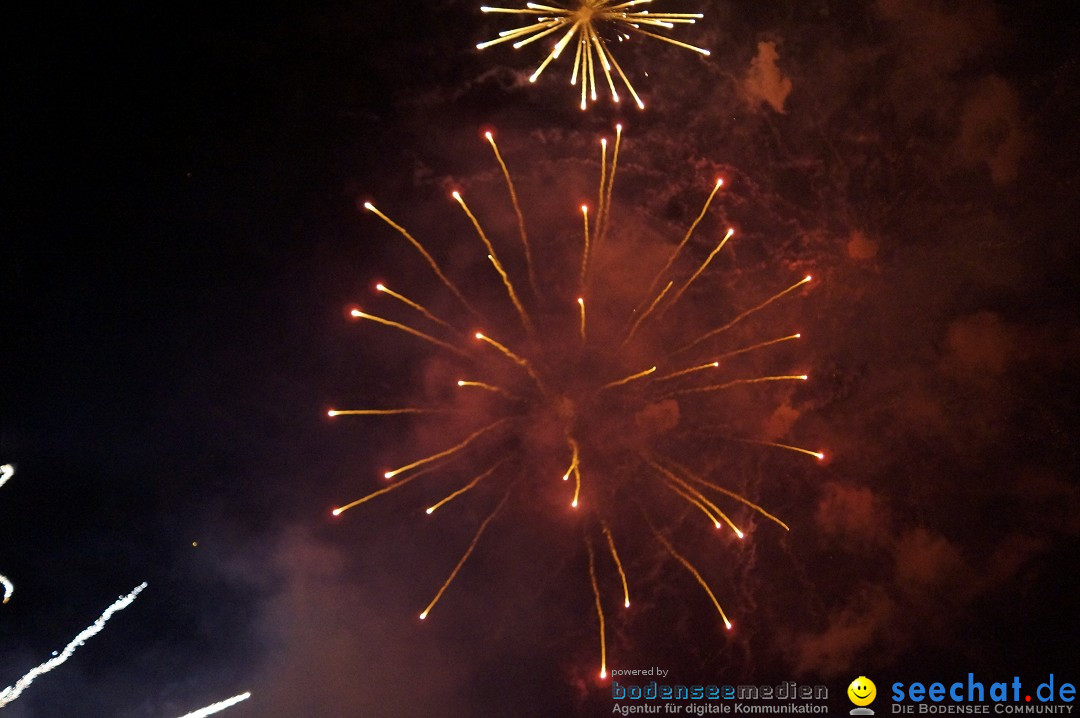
[(182, 232)]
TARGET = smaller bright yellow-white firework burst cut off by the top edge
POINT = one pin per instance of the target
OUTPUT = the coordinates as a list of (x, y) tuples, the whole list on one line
[(588, 25)]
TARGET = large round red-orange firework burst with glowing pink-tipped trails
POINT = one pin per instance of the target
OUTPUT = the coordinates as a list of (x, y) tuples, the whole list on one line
[(596, 382)]
